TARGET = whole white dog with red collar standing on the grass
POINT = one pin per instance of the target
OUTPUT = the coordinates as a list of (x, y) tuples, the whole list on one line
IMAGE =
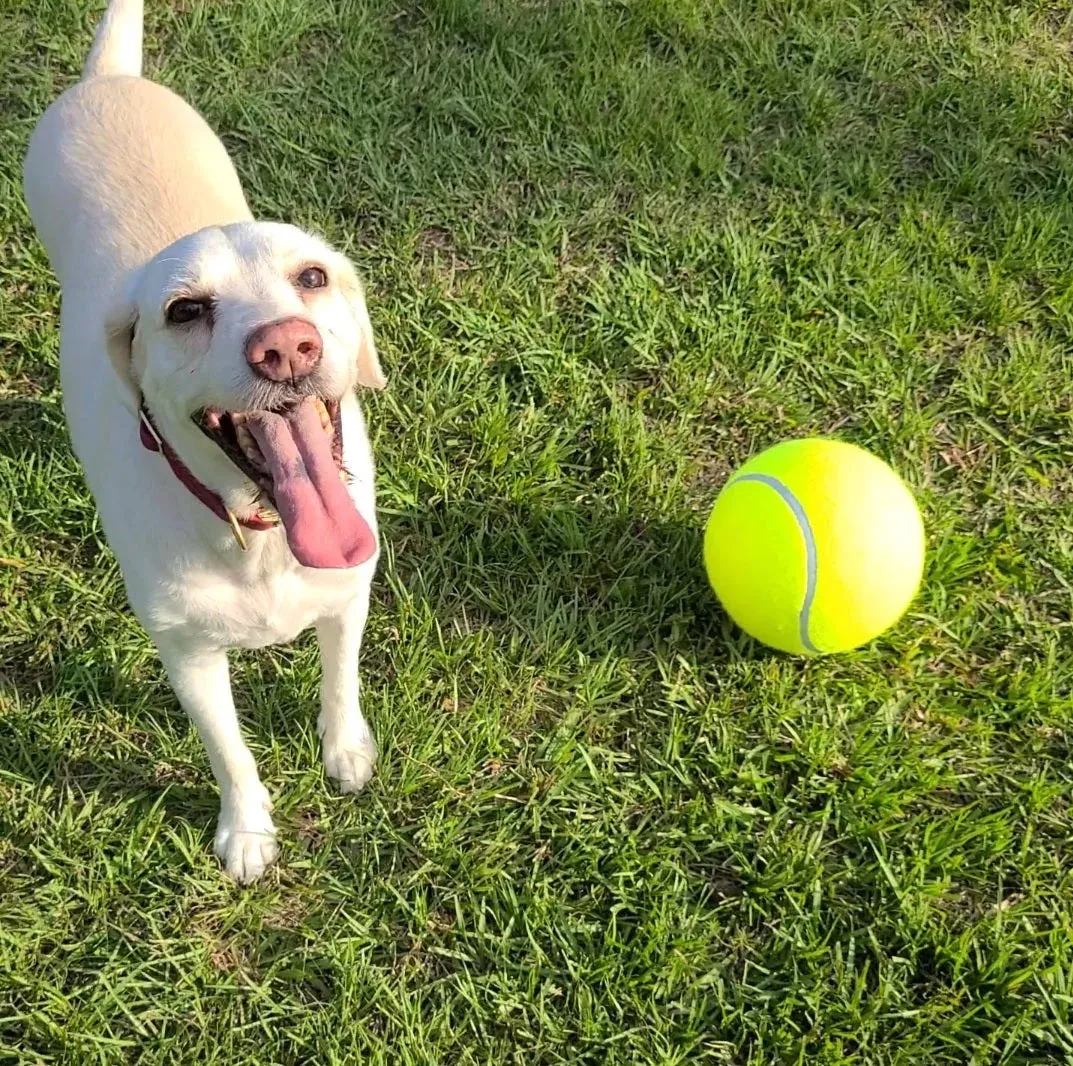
[(210, 367)]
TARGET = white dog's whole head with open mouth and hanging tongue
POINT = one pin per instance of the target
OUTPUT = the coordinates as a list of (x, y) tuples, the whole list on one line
[(248, 338)]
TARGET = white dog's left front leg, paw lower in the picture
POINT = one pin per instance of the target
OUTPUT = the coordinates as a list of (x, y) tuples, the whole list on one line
[(245, 837)]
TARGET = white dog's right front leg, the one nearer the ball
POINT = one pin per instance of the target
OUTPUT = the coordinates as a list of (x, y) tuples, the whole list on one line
[(350, 752)]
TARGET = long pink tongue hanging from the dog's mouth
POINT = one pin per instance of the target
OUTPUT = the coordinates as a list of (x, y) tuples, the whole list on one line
[(324, 527)]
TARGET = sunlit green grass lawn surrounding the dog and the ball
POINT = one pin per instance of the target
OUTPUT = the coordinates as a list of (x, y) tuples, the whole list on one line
[(612, 250)]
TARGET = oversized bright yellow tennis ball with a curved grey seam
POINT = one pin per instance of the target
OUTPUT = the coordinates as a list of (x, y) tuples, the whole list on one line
[(815, 546)]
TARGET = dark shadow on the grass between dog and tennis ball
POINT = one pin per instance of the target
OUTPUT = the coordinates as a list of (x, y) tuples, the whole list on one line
[(585, 575)]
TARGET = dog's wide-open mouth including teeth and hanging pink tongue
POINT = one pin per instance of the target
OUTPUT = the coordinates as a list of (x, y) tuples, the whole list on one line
[(295, 457)]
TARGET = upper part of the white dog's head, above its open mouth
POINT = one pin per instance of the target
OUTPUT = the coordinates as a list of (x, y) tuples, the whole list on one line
[(184, 332)]
